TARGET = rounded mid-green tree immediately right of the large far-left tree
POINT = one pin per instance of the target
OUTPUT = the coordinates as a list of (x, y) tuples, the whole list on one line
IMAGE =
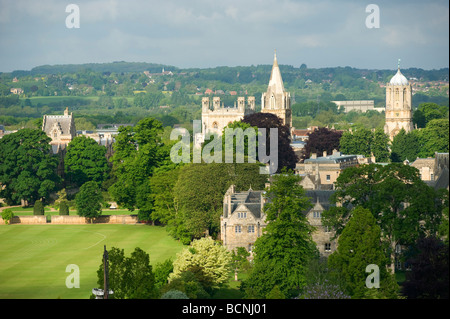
[(85, 161)]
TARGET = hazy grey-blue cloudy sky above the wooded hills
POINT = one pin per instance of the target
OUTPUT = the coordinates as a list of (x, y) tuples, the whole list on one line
[(210, 33)]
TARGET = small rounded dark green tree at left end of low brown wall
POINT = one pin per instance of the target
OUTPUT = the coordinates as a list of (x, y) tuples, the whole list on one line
[(89, 200)]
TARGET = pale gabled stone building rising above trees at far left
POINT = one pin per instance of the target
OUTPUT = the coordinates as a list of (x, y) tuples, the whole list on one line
[(60, 128)]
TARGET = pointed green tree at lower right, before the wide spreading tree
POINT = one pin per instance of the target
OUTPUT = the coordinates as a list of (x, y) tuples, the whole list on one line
[(360, 245)]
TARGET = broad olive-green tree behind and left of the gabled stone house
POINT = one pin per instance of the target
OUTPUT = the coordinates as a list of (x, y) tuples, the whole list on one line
[(199, 191)]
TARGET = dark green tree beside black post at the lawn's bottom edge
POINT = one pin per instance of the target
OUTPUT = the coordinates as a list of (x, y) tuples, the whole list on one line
[(129, 277)]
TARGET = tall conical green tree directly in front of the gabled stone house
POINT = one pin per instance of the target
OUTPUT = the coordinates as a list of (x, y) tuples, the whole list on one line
[(286, 246)]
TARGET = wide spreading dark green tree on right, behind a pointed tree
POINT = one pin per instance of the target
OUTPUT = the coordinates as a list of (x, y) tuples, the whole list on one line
[(402, 204)]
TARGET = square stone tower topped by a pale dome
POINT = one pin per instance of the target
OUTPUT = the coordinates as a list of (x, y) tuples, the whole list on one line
[(398, 105)]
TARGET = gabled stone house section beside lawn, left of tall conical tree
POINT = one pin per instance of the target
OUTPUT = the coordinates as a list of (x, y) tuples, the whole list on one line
[(243, 219)]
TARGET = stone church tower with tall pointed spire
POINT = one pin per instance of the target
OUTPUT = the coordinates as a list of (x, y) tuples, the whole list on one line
[(276, 100)]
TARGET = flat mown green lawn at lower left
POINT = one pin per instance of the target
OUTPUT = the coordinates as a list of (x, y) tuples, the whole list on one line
[(33, 258)]
